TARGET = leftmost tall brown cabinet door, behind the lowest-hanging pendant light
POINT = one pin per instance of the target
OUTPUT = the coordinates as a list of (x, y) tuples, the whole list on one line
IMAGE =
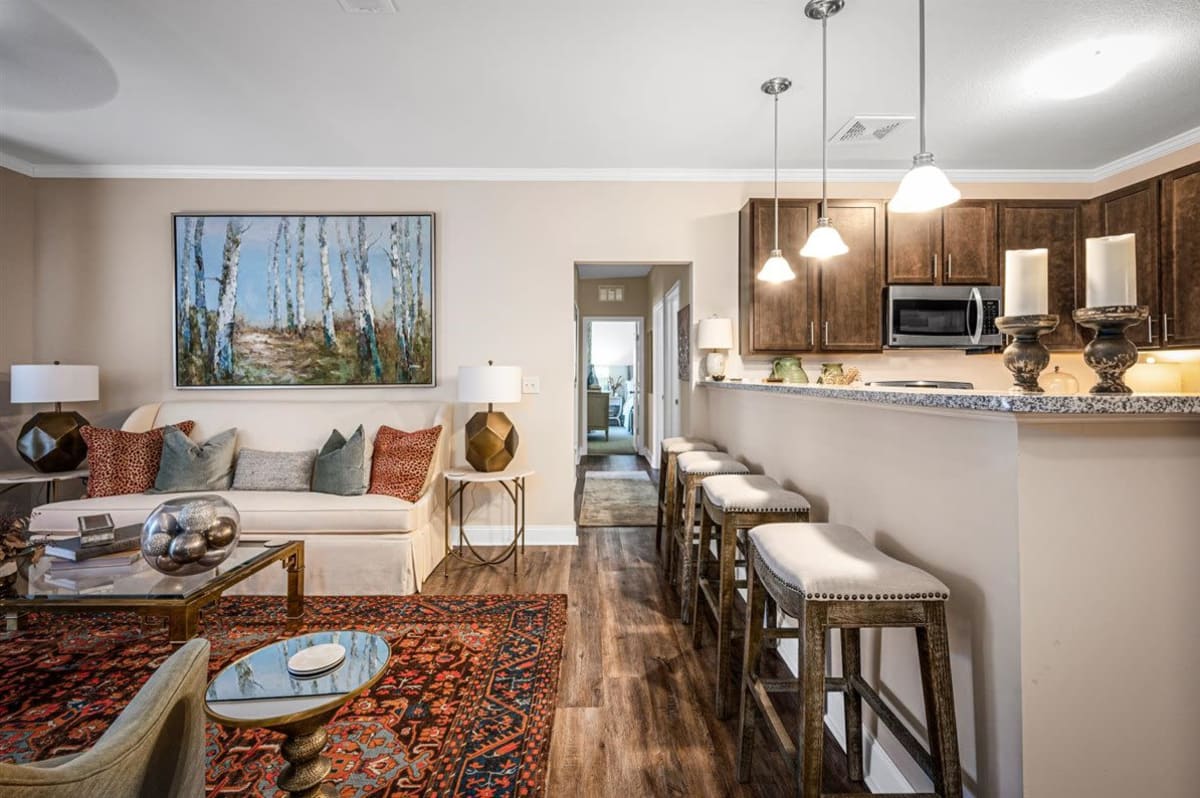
[(776, 317)]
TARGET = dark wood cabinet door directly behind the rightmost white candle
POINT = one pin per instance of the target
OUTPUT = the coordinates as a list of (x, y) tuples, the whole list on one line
[(1136, 211)]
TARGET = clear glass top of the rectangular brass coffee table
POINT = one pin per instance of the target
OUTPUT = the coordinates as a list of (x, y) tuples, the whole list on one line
[(139, 583)]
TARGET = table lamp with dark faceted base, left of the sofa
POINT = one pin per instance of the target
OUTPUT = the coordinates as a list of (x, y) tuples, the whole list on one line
[(51, 442)]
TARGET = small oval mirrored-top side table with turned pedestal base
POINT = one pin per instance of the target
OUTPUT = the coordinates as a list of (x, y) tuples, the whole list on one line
[(259, 692)]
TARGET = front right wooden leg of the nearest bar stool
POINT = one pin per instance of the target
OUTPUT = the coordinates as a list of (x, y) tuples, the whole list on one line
[(933, 650)]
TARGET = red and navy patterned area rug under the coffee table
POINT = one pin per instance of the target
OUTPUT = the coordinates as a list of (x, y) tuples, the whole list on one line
[(466, 707)]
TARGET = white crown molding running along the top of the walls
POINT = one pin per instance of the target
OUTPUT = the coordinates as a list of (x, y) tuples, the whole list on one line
[(517, 175)]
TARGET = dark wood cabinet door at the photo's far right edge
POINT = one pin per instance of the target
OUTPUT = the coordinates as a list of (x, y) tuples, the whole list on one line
[(1181, 257)]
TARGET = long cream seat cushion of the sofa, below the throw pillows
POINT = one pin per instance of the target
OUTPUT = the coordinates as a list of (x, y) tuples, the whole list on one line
[(262, 512)]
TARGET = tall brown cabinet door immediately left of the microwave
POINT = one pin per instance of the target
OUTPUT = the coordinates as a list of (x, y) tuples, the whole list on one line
[(851, 286)]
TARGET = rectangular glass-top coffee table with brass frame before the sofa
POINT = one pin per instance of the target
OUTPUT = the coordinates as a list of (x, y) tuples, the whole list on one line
[(149, 593)]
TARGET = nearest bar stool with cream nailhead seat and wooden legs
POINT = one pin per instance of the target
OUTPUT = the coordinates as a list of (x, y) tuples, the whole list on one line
[(829, 577)]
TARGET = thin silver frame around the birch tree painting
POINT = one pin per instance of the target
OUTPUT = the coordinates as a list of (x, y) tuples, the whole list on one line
[(428, 301)]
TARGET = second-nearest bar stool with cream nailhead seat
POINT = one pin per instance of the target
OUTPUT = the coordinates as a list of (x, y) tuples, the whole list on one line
[(733, 503)]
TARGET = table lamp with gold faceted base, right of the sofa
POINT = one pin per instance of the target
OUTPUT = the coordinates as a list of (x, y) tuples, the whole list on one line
[(491, 439)]
